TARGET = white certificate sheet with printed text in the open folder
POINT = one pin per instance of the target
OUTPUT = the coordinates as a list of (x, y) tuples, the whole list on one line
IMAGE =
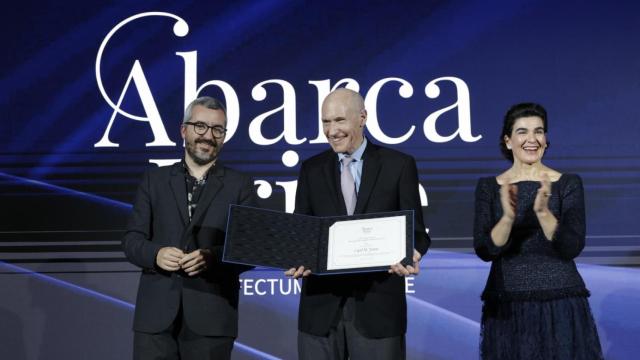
[(367, 243)]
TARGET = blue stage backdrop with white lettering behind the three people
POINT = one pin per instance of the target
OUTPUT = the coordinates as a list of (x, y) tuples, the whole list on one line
[(93, 92)]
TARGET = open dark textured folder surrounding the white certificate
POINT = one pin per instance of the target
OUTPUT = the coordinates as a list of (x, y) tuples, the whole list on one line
[(281, 240)]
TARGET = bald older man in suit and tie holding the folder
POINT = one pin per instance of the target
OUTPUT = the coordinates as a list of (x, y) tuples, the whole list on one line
[(359, 316)]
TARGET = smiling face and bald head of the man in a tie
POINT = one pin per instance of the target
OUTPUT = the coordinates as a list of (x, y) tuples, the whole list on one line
[(343, 119)]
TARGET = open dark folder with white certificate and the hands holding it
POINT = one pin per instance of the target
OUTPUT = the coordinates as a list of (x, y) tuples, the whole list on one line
[(322, 245)]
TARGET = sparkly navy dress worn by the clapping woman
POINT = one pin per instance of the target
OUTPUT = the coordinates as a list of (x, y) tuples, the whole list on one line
[(535, 302)]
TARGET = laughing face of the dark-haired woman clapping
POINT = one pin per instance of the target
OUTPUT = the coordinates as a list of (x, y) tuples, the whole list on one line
[(528, 140)]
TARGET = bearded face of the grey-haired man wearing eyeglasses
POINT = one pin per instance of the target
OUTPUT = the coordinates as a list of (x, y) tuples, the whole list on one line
[(203, 149)]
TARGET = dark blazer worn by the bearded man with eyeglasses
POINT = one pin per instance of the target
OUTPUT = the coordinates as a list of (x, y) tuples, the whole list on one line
[(159, 219)]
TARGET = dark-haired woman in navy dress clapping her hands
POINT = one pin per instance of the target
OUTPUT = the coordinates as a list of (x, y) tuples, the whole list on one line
[(530, 223)]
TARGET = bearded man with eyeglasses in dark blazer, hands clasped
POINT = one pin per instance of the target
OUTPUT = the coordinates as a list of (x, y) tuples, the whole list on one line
[(187, 304)]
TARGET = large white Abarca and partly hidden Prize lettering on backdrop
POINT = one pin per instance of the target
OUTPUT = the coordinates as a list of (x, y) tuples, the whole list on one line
[(137, 83)]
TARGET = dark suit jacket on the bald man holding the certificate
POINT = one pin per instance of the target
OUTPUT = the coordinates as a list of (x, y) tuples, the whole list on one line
[(389, 183)]
